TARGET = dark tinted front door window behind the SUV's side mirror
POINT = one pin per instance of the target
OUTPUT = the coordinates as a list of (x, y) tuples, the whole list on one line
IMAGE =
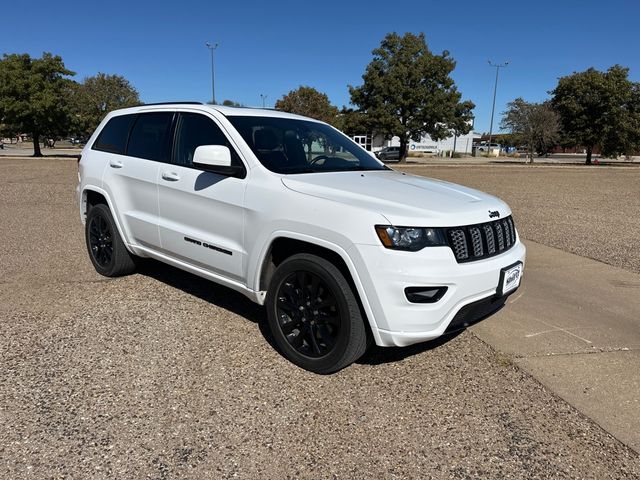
[(194, 130)]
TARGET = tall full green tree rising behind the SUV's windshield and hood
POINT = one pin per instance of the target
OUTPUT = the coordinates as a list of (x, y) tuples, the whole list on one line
[(408, 92)]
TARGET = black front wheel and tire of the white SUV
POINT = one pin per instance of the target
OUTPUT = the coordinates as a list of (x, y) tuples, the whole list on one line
[(314, 315)]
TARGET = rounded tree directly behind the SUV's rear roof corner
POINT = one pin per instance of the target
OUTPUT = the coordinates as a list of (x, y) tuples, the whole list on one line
[(98, 95)]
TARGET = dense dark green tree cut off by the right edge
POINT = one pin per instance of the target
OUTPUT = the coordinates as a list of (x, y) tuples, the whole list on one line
[(599, 109)]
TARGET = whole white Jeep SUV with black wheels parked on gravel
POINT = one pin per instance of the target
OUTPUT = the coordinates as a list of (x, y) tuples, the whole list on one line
[(342, 250)]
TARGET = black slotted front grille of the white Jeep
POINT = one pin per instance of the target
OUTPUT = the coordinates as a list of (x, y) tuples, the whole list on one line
[(475, 242)]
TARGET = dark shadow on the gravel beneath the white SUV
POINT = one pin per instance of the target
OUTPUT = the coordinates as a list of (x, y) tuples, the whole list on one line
[(237, 303)]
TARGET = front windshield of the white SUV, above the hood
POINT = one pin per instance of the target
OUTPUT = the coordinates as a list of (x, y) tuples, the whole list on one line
[(286, 145)]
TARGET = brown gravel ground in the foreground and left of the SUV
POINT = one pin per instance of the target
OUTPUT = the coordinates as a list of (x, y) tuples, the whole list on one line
[(163, 375)]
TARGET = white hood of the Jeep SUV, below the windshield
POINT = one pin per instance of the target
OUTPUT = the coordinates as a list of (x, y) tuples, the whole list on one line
[(403, 199)]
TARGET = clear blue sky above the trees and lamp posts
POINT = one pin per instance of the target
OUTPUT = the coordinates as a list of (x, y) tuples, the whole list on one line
[(272, 47)]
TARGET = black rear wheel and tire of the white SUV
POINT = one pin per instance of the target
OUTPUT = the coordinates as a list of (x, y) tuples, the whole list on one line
[(106, 249)]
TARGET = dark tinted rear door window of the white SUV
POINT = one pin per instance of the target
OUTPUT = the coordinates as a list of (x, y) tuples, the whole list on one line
[(149, 136)]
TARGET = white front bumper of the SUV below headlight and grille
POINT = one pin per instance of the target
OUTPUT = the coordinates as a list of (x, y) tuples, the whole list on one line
[(386, 273)]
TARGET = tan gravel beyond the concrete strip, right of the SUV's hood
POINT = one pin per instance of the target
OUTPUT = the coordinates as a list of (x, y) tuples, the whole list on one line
[(590, 211)]
